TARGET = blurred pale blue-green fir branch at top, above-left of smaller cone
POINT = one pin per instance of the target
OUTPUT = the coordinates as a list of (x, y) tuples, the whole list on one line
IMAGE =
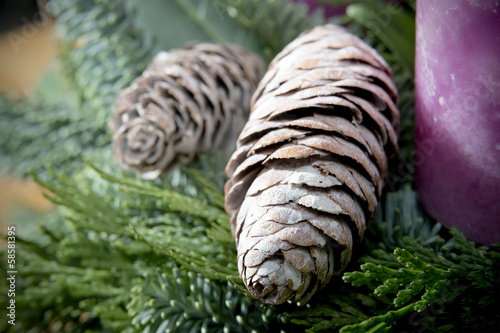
[(103, 48)]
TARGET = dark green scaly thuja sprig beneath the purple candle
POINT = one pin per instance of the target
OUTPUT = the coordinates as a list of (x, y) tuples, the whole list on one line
[(418, 277)]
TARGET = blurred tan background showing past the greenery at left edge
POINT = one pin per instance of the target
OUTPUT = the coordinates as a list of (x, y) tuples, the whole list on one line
[(22, 64)]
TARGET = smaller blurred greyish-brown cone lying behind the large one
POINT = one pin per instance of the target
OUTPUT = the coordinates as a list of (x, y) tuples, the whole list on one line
[(187, 101)]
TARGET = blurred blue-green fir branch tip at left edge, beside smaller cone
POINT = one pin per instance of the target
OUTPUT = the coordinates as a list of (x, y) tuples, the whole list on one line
[(35, 134)]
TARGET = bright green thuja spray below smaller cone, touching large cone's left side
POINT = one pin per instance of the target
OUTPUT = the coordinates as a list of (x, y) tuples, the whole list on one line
[(165, 215)]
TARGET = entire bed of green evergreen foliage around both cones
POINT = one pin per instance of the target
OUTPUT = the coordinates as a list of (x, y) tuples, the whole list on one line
[(122, 254)]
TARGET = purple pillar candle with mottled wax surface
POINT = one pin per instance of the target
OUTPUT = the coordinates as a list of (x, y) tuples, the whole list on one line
[(457, 116)]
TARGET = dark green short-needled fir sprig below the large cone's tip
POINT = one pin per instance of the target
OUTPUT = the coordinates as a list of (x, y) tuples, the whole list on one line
[(177, 301)]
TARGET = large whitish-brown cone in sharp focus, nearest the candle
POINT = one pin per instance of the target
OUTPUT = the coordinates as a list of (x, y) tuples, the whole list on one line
[(310, 163)]
